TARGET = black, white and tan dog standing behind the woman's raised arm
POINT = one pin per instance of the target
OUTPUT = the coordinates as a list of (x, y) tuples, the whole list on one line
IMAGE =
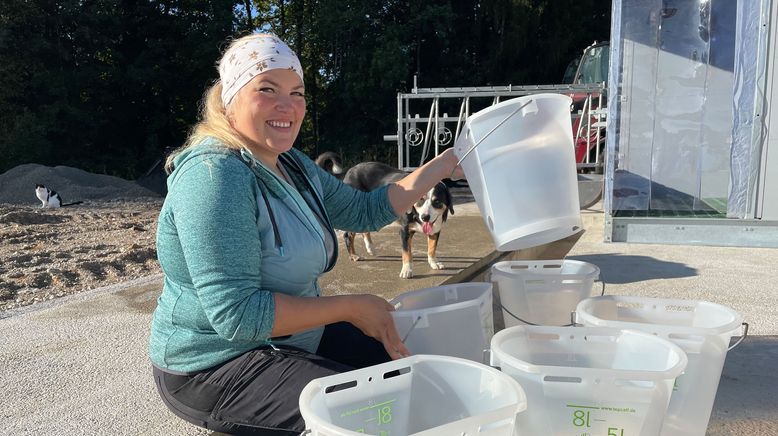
[(426, 216)]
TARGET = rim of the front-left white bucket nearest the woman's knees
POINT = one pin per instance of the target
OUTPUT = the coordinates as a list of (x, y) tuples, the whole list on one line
[(315, 387)]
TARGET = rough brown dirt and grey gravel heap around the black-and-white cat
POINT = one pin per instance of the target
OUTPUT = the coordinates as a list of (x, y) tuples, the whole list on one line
[(48, 253)]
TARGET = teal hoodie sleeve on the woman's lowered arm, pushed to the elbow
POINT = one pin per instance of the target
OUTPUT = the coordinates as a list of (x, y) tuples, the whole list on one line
[(213, 204)]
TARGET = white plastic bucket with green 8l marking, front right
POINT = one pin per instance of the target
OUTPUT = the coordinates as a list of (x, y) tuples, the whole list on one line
[(589, 380)]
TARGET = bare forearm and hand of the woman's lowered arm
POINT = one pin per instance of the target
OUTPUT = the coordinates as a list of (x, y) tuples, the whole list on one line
[(369, 313)]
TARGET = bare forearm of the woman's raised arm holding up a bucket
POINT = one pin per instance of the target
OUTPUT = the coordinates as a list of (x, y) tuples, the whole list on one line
[(403, 194)]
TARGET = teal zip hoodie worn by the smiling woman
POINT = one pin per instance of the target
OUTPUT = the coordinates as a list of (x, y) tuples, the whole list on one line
[(230, 234)]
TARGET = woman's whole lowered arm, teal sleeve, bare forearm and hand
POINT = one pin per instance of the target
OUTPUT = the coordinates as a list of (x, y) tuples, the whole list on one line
[(215, 213)]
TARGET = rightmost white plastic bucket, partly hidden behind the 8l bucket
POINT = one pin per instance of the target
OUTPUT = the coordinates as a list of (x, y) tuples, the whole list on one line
[(702, 329)]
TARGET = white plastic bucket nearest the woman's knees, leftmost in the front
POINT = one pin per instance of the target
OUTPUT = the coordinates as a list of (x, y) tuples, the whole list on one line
[(418, 395)]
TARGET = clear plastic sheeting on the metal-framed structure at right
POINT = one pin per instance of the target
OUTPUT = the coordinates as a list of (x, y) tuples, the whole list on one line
[(671, 94)]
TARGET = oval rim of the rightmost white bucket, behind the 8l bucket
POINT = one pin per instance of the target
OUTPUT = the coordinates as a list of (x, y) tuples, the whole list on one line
[(584, 315)]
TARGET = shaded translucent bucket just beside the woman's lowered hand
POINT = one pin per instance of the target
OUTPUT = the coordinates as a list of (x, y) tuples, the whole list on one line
[(449, 320)]
